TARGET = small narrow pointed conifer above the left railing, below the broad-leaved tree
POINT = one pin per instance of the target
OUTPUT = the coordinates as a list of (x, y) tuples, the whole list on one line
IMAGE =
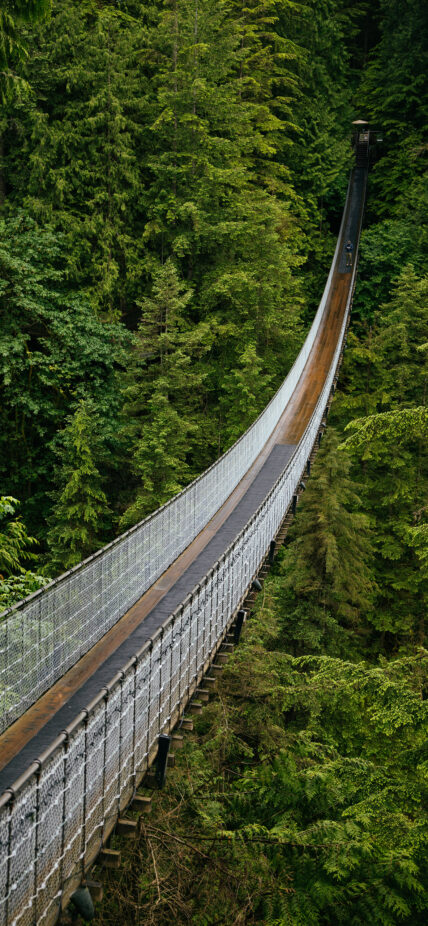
[(80, 513)]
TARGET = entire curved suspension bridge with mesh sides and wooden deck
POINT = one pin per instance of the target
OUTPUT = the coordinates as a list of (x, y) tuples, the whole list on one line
[(105, 659)]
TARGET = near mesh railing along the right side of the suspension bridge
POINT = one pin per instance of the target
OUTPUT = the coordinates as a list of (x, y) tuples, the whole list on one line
[(55, 819)]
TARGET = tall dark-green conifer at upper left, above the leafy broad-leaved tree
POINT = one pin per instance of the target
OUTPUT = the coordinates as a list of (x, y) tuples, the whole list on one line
[(81, 138)]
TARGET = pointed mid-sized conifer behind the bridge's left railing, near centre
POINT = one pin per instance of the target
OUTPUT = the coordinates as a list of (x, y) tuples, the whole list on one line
[(163, 395)]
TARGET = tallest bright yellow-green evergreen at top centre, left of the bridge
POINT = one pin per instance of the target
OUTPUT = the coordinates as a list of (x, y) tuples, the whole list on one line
[(234, 241)]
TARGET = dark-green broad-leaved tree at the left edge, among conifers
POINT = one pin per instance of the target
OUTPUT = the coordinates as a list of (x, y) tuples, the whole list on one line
[(53, 351)]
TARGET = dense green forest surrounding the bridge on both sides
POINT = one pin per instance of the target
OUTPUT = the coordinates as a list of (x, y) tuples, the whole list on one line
[(171, 180)]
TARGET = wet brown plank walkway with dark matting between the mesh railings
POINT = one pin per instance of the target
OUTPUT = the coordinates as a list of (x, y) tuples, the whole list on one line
[(29, 736)]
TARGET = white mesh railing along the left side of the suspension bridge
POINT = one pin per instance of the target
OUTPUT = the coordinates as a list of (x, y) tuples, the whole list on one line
[(46, 633)]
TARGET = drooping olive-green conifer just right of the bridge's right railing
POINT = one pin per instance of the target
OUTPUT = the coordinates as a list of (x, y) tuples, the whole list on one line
[(327, 570)]
